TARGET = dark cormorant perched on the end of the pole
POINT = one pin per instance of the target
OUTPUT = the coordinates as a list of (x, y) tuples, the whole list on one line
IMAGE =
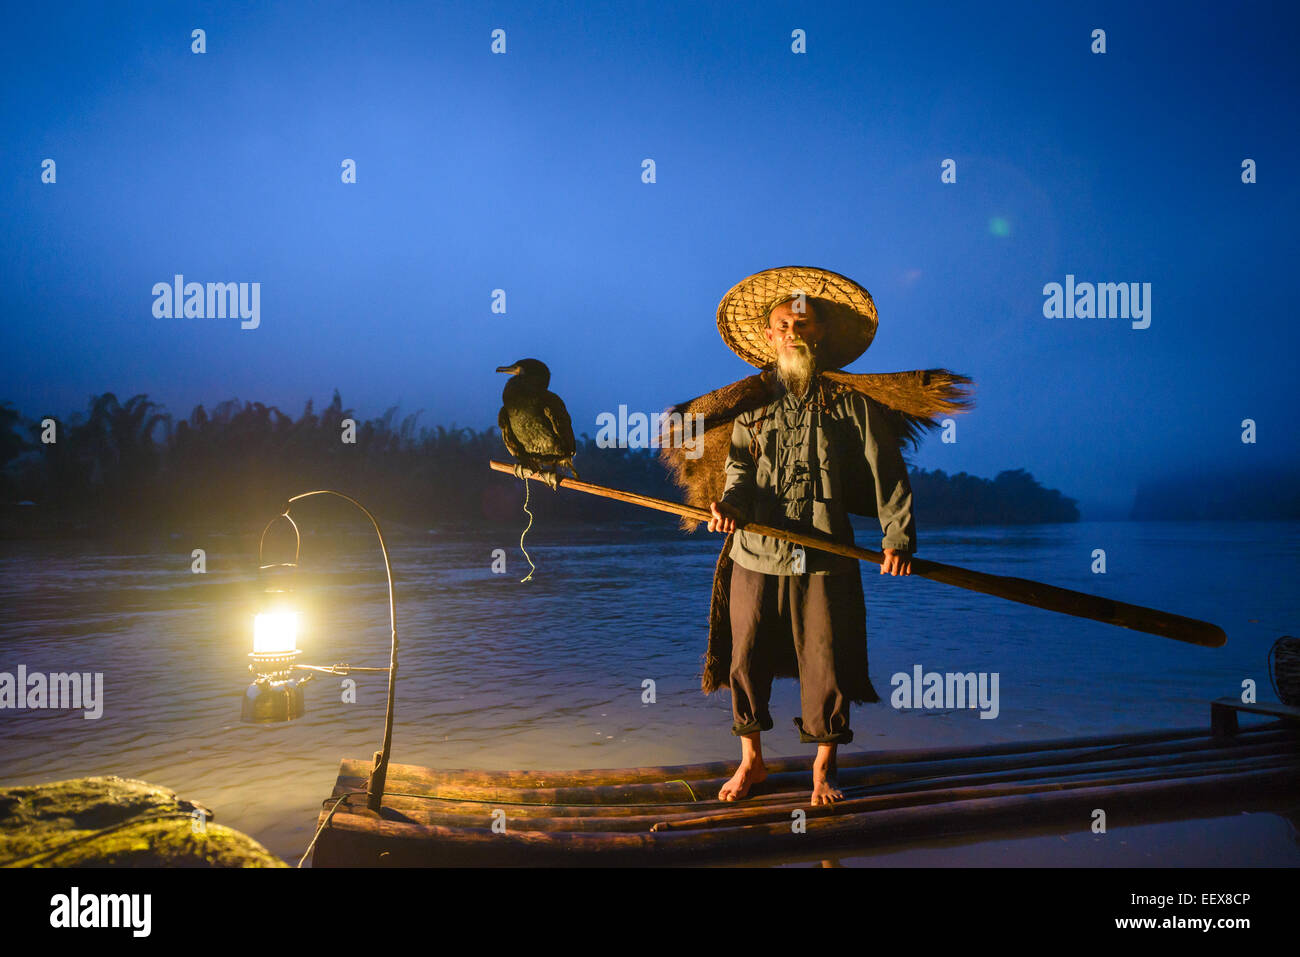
[(534, 422)]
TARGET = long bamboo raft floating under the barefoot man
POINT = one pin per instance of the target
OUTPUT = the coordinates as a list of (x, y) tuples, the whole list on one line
[(670, 816)]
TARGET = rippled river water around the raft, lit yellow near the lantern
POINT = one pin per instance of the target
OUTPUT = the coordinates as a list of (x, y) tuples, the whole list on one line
[(549, 674)]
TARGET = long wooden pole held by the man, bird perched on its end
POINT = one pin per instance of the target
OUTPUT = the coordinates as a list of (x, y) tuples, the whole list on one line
[(1024, 591)]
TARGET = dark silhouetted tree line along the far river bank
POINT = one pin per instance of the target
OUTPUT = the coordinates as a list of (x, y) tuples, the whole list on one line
[(132, 467)]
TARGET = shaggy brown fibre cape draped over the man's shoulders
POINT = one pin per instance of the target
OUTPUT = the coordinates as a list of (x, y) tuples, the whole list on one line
[(913, 404)]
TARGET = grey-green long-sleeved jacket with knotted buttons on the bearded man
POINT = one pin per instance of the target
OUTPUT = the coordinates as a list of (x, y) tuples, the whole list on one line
[(808, 471)]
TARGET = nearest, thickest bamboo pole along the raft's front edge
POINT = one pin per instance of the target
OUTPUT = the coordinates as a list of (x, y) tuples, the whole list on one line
[(371, 841)]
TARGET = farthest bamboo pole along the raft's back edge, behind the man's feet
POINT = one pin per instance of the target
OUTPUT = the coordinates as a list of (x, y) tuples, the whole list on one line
[(409, 778)]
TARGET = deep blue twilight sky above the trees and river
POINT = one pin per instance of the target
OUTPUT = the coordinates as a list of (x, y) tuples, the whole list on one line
[(523, 172)]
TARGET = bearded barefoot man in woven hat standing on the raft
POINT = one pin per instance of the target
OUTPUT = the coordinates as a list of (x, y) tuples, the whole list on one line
[(790, 466)]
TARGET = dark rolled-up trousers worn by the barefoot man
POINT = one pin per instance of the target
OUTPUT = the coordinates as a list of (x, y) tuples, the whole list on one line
[(804, 609)]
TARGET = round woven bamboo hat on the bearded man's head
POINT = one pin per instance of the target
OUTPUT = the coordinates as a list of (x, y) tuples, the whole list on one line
[(846, 310)]
